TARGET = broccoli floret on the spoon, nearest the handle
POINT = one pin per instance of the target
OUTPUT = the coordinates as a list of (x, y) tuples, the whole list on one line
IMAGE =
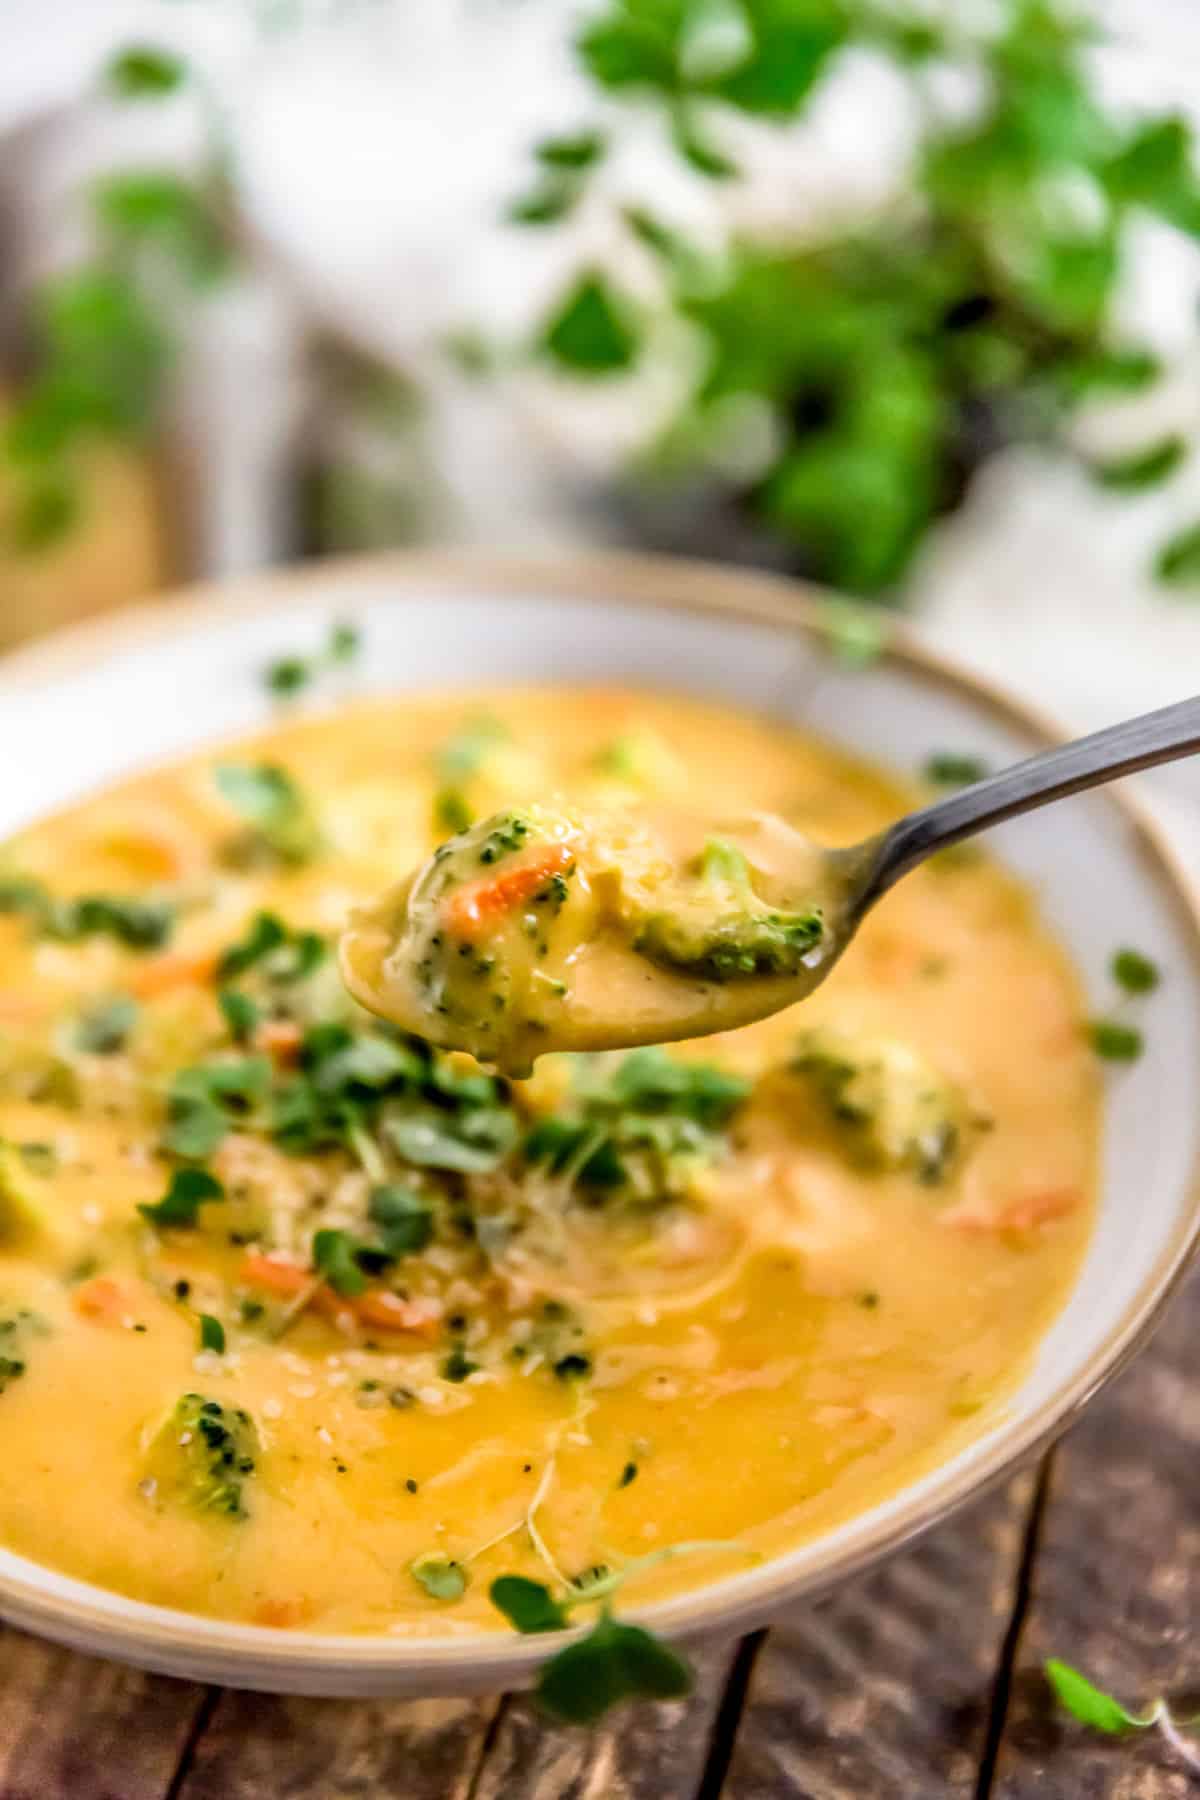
[(731, 948)]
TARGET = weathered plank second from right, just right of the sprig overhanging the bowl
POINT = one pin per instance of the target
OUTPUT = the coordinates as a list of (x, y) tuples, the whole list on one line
[(884, 1691)]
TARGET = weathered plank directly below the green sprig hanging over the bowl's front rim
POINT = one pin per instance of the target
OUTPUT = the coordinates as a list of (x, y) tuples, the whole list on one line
[(641, 1754)]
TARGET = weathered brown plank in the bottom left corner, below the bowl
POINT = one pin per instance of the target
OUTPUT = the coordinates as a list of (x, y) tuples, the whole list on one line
[(82, 1729)]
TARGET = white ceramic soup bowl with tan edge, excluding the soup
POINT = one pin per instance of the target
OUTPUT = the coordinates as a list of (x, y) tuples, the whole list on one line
[(152, 683)]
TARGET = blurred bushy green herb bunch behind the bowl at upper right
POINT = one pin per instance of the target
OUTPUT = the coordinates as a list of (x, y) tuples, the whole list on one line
[(886, 363)]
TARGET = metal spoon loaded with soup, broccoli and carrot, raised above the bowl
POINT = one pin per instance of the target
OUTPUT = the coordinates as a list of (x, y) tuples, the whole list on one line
[(544, 930)]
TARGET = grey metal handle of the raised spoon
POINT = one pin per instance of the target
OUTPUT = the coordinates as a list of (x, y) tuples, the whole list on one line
[(1122, 750)]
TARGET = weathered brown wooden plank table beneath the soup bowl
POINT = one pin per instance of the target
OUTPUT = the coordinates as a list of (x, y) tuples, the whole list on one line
[(918, 1682)]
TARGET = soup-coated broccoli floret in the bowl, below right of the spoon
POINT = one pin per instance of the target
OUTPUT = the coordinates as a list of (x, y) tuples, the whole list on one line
[(888, 1104)]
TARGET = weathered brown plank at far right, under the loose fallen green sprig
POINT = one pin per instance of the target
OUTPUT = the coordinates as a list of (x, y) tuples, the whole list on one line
[(1116, 1587)]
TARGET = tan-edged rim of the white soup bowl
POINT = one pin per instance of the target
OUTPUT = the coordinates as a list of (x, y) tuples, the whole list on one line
[(40, 1599)]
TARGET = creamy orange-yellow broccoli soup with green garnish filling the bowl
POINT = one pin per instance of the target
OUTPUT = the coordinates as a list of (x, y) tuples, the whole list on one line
[(310, 1326)]
